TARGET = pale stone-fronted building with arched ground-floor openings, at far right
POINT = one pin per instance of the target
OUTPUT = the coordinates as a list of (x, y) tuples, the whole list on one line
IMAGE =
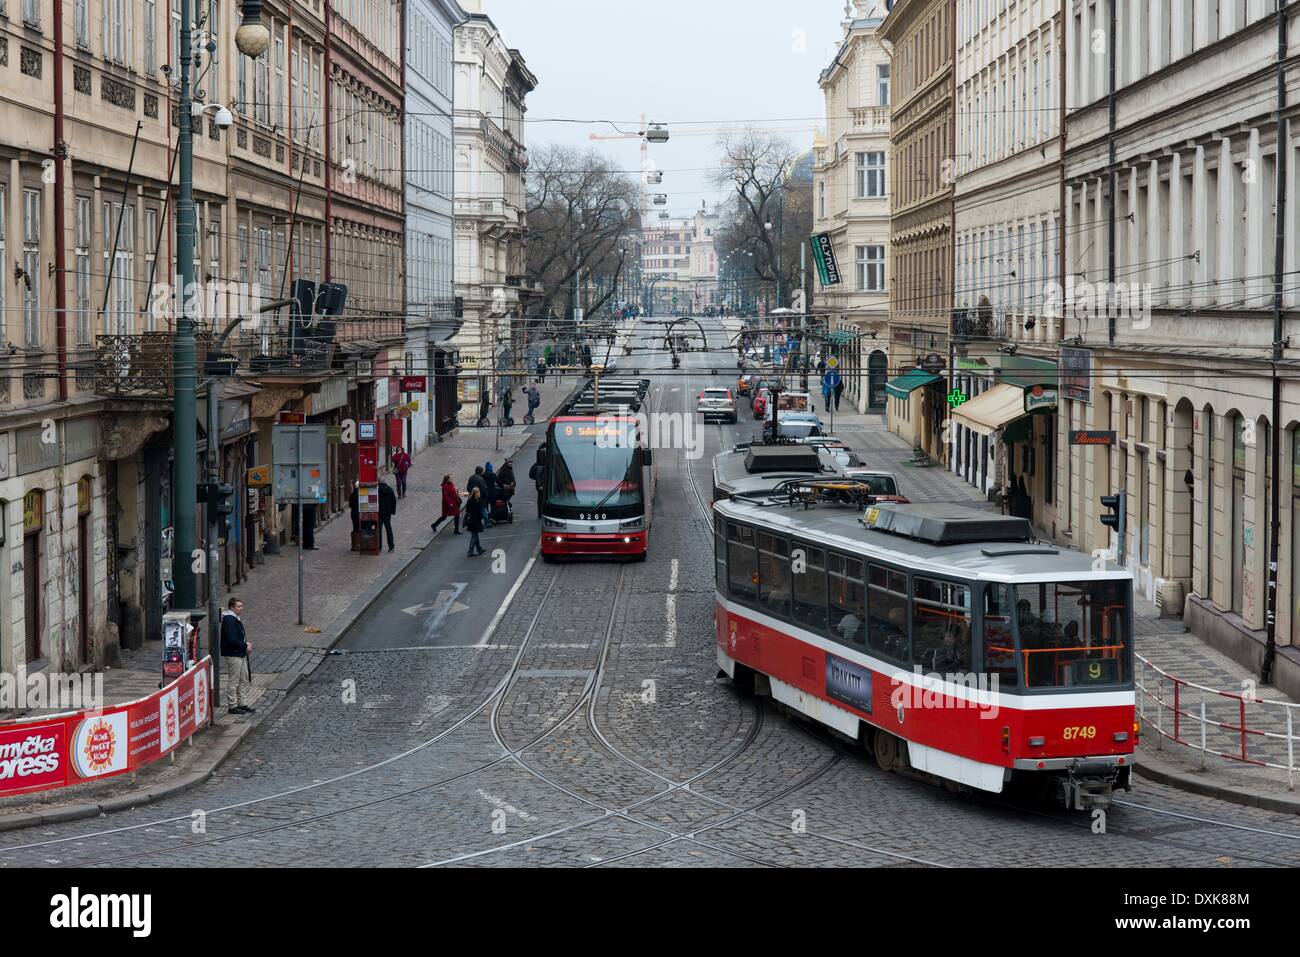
[(1181, 334)]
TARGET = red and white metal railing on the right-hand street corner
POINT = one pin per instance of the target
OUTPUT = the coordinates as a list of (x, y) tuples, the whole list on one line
[(1234, 726)]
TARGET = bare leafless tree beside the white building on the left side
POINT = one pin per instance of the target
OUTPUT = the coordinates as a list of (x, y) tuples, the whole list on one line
[(580, 207)]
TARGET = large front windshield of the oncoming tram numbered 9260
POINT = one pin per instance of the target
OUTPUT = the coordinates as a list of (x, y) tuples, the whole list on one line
[(593, 465)]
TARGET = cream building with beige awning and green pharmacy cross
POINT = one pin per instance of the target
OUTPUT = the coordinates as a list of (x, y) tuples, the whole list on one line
[(1008, 224)]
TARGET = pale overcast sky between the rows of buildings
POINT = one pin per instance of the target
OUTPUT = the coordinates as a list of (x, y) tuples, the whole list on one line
[(699, 66)]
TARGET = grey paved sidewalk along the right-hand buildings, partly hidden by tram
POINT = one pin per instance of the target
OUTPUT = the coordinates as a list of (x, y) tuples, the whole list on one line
[(1167, 646)]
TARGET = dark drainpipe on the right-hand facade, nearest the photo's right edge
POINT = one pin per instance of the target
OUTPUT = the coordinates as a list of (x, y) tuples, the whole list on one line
[(1271, 643)]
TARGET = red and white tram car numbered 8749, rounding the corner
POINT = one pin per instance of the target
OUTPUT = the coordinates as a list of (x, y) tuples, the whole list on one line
[(942, 638)]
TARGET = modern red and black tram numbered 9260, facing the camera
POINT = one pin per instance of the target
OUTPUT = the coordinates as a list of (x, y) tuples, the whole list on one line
[(597, 487)]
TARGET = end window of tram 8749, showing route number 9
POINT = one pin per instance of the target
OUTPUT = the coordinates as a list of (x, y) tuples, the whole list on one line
[(1073, 634)]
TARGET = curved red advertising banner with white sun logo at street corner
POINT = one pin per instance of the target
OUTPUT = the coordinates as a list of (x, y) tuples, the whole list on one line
[(62, 751)]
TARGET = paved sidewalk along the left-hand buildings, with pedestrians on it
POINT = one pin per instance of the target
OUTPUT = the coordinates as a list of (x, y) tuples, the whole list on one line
[(341, 586)]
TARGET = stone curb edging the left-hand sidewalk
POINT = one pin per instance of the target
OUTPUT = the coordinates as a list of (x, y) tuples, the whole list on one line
[(231, 738)]
